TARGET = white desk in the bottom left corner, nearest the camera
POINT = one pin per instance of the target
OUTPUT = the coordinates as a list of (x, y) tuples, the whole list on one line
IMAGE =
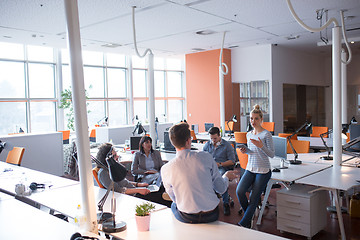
[(20, 221)]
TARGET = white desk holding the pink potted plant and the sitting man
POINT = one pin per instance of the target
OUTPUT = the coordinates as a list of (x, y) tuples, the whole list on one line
[(163, 225)]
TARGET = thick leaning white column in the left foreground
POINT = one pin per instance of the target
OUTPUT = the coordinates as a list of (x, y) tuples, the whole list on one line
[(81, 125)]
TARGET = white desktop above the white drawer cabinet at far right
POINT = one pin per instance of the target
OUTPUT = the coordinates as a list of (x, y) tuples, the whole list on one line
[(341, 177)]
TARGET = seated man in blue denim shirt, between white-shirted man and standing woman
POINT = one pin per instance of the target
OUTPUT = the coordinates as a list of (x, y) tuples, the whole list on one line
[(224, 156)]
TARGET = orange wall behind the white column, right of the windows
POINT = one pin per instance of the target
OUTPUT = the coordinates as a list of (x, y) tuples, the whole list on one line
[(202, 88)]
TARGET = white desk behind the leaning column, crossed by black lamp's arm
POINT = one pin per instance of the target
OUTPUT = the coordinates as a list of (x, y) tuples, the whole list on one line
[(69, 197)]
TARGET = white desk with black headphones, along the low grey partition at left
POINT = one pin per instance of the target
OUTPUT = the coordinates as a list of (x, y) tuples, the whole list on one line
[(10, 175)]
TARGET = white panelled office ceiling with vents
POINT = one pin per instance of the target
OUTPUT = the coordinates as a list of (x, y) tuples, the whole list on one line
[(168, 27)]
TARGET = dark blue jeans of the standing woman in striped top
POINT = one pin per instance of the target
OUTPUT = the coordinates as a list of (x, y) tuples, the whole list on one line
[(258, 182)]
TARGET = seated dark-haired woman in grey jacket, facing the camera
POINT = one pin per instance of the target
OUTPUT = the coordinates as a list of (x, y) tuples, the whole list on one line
[(147, 162)]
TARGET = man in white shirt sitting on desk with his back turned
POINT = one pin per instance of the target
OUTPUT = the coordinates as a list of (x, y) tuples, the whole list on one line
[(192, 179)]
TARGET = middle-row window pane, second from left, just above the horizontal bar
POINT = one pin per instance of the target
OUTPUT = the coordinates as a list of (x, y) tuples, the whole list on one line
[(41, 80)]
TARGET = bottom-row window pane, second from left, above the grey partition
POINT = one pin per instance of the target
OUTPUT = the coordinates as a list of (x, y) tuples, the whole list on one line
[(42, 116)]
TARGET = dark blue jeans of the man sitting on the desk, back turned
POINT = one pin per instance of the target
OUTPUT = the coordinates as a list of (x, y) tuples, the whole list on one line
[(206, 217)]
